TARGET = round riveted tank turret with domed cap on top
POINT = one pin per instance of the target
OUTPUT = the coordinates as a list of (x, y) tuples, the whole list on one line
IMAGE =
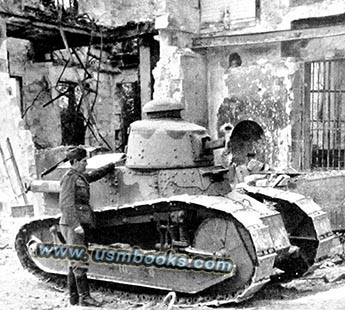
[(164, 140)]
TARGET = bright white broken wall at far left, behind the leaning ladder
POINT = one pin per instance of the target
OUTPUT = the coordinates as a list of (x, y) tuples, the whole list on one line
[(12, 127)]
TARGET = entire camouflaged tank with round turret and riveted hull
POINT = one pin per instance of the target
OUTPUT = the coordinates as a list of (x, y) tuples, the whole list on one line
[(170, 205)]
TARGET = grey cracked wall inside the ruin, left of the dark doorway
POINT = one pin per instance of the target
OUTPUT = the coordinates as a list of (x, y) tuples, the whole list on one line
[(36, 91)]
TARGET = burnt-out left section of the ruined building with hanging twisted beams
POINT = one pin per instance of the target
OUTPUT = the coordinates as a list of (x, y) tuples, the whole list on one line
[(68, 80)]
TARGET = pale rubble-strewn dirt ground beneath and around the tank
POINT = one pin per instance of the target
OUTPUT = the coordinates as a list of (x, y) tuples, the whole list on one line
[(323, 289)]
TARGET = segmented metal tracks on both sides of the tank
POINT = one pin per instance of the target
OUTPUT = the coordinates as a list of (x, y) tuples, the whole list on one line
[(208, 297)]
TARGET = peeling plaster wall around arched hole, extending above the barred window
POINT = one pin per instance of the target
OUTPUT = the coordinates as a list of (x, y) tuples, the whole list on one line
[(268, 89)]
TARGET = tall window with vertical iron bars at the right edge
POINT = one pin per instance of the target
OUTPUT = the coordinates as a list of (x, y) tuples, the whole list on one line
[(324, 112)]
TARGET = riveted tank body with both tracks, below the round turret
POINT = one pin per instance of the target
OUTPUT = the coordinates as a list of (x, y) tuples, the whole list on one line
[(239, 226)]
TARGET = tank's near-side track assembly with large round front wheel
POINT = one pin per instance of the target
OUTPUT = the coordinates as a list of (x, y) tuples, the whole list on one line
[(244, 237)]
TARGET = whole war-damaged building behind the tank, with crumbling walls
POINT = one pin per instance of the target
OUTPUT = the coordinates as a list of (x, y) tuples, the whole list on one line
[(268, 75)]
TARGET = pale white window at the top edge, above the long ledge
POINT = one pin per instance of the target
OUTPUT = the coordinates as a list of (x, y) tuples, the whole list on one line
[(229, 12)]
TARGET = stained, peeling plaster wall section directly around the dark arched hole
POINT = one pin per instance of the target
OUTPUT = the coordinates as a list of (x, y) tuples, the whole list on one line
[(260, 90)]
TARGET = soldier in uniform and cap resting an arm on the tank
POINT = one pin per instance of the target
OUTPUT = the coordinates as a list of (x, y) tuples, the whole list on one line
[(77, 220)]
